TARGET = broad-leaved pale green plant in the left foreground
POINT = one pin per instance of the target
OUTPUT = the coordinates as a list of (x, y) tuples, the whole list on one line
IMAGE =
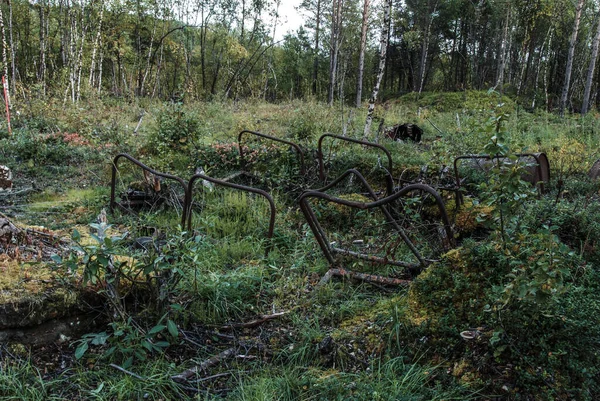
[(107, 266)]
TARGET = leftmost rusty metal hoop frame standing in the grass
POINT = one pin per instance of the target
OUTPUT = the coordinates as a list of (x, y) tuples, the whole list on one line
[(137, 199)]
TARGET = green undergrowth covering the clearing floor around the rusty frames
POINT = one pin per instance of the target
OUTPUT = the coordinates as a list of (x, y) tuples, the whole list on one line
[(512, 312)]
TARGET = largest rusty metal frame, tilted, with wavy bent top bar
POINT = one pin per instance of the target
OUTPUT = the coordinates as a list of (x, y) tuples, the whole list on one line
[(393, 220)]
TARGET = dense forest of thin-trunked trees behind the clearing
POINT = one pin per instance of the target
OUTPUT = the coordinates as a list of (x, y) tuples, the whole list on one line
[(542, 51)]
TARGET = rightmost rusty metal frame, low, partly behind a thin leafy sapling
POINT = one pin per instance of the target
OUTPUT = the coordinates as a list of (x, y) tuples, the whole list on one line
[(537, 170)]
